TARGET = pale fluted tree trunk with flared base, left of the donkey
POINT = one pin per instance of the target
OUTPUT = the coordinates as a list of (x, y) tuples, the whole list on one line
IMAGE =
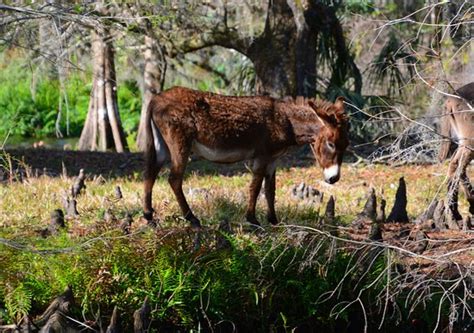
[(103, 128)]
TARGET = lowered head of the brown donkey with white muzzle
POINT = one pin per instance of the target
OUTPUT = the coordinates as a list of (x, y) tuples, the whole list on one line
[(331, 141)]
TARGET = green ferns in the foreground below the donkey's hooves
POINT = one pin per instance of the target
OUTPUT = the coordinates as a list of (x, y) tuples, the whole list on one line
[(254, 284)]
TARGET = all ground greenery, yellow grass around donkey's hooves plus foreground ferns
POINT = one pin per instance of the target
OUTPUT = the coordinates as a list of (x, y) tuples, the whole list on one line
[(271, 278)]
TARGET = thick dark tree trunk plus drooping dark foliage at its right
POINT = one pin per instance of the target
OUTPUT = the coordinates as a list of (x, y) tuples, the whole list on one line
[(284, 55)]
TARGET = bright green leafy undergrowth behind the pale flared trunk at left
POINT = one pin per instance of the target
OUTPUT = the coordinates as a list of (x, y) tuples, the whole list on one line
[(29, 101)]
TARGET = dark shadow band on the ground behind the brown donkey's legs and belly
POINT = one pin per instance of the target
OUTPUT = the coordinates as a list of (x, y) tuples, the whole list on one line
[(112, 165)]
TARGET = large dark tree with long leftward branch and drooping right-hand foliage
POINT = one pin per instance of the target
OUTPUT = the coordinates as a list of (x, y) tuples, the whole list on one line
[(285, 53)]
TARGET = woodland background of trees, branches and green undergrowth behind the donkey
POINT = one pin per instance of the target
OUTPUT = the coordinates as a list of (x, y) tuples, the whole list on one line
[(88, 70)]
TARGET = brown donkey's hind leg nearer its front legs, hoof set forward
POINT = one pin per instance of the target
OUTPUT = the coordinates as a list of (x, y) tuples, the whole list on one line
[(175, 179)]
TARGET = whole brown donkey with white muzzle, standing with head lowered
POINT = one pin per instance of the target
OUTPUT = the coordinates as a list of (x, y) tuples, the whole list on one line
[(229, 129)]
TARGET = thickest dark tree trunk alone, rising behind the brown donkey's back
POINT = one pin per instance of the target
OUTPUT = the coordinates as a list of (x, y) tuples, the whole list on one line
[(284, 55)]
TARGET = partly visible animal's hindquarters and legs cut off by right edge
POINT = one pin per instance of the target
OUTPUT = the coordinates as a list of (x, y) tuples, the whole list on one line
[(457, 127)]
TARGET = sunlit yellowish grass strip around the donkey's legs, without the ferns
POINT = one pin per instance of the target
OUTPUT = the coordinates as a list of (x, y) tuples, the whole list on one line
[(211, 192)]
